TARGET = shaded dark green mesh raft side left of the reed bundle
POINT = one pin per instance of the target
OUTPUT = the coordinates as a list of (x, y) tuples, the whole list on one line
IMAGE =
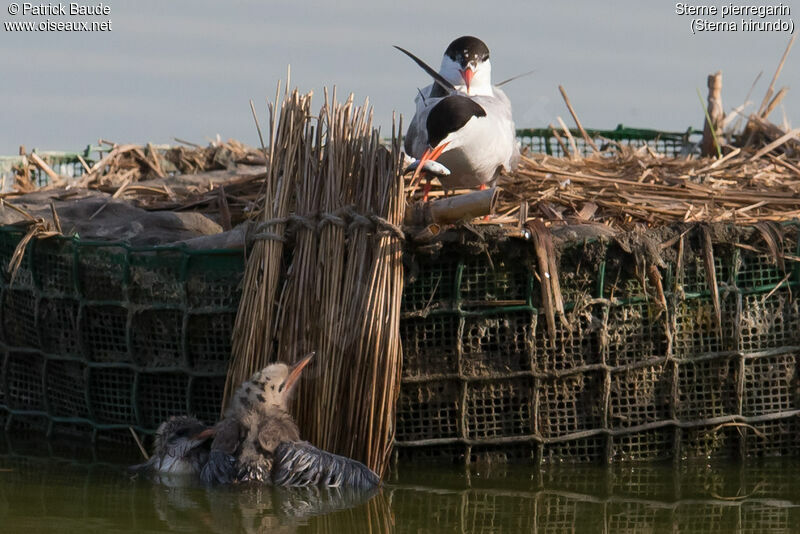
[(105, 336)]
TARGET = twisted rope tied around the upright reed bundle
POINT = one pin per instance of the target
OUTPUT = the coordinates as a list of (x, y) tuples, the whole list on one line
[(347, 218)]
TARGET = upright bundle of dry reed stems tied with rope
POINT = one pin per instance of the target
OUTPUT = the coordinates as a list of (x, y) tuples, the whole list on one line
[(341, 189)]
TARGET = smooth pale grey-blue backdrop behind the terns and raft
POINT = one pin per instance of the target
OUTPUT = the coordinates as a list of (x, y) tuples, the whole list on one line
[(188, 69)]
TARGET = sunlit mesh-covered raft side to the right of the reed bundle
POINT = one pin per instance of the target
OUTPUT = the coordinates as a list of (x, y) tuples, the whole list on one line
[(624, 380)]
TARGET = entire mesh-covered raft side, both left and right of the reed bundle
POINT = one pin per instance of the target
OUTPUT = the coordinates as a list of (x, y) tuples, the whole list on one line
[(100, 337)]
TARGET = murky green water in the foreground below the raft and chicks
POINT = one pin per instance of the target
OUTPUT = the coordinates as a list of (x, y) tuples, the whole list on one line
[(45, 488)]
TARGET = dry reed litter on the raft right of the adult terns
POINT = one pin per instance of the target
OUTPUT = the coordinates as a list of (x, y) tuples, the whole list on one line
[(632, 186)]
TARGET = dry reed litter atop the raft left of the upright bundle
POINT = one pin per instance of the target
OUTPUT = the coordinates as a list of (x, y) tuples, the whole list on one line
[(222, 179)]
